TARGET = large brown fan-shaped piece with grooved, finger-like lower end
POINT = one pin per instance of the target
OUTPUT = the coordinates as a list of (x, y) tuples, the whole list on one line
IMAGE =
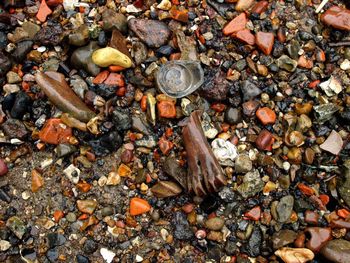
[(205, 174)]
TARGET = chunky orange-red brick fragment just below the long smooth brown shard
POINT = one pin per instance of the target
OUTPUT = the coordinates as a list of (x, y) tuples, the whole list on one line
[(55, 132)]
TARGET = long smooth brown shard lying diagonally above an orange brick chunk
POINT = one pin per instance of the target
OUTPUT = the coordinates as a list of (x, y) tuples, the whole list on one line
[(62, 96)]
